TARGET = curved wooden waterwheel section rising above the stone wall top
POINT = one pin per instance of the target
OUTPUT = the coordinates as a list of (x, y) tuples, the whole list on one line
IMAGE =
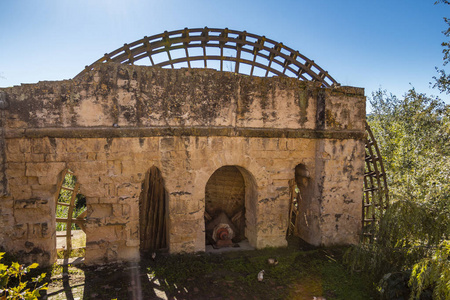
[(278, 59)]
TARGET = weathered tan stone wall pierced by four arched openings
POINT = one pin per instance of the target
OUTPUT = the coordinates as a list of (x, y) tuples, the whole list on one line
[(111, 126)]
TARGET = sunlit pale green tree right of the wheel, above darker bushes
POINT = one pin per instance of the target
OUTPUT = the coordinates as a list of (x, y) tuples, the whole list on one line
[(414, 134)]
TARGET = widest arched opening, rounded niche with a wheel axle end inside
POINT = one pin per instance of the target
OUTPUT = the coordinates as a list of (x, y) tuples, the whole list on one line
[(230, 209)]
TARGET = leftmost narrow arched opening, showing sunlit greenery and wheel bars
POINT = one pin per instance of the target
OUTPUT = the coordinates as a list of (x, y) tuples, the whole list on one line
[(70, 218)]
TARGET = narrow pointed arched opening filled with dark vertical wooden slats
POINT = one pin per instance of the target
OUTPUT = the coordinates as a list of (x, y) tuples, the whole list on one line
[(152, 213)]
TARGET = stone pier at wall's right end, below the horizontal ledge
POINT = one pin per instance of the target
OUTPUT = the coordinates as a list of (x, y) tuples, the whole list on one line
[(341, 203)]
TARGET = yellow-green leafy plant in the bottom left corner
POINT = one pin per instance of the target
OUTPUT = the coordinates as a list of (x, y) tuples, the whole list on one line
[(19, 290)]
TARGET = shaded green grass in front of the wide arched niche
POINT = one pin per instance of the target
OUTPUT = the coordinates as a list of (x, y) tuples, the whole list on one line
[(311, 273)]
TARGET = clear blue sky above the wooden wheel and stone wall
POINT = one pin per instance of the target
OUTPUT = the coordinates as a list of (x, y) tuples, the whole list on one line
[(393, 45)]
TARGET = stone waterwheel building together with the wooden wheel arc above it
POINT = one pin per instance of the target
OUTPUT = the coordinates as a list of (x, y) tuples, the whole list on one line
[(160, 152)]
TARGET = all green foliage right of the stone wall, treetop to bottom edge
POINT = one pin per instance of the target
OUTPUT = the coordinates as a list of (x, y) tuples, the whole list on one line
[(414, 137)]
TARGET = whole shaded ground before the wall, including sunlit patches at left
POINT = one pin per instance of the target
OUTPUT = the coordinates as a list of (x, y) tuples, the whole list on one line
[(298, 274)]
